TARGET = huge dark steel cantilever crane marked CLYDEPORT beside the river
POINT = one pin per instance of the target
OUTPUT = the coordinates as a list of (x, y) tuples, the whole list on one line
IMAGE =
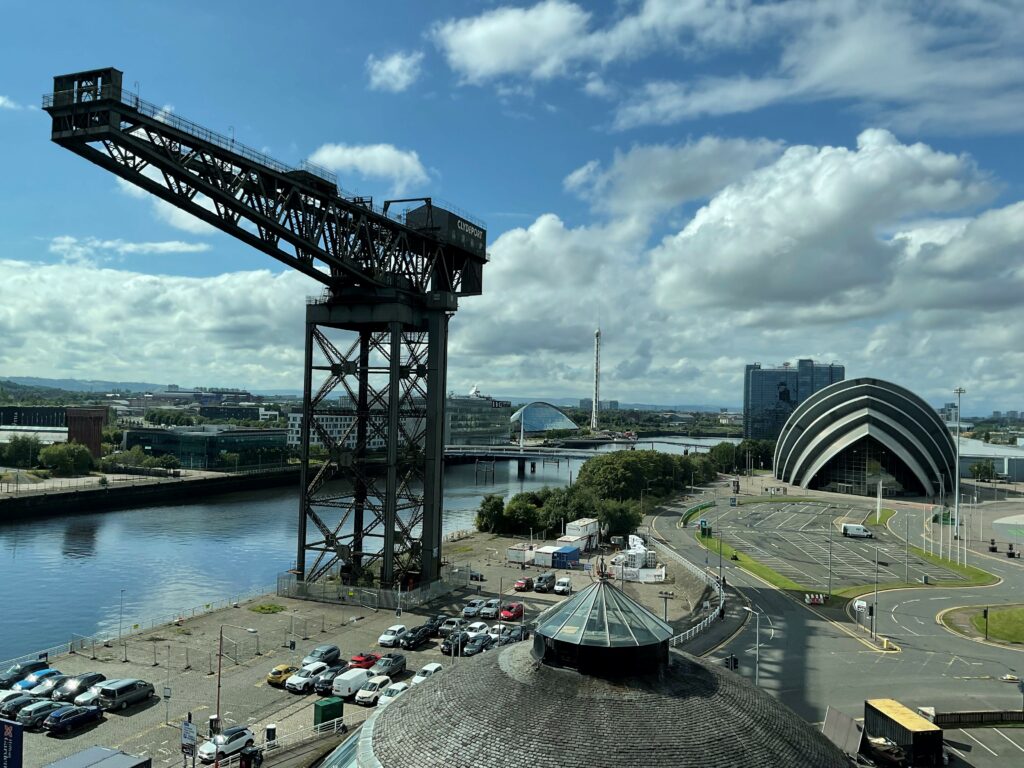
[(393, 282)]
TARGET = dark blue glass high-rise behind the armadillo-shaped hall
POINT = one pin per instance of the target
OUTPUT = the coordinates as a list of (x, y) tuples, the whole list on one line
[(772, 395)]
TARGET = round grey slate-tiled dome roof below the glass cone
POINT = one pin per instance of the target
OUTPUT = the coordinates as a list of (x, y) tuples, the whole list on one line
[(505, 709)]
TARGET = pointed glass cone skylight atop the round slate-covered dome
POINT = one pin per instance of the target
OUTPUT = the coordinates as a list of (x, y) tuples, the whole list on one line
[(603, 616)]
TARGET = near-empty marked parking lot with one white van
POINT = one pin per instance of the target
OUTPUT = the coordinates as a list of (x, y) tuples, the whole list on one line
[(793, 539)]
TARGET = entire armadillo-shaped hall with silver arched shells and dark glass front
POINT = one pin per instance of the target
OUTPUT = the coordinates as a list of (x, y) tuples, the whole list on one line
[(854, 435)]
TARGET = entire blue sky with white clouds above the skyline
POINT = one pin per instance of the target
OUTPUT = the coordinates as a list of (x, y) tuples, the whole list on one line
[(716, 184)]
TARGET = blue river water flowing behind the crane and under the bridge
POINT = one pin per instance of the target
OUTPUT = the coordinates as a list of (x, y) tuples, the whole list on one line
[(68, 575)]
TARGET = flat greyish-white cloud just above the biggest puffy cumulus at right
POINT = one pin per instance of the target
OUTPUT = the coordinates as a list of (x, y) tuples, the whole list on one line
[(648, 181)]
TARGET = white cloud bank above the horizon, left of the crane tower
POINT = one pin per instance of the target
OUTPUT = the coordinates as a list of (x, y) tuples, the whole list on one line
[(241, 329)]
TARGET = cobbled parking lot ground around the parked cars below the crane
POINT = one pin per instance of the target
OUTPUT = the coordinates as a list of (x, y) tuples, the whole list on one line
[(254, 644)]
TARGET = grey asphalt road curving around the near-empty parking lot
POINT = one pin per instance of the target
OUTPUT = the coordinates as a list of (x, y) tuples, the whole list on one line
[(812, 663)]
